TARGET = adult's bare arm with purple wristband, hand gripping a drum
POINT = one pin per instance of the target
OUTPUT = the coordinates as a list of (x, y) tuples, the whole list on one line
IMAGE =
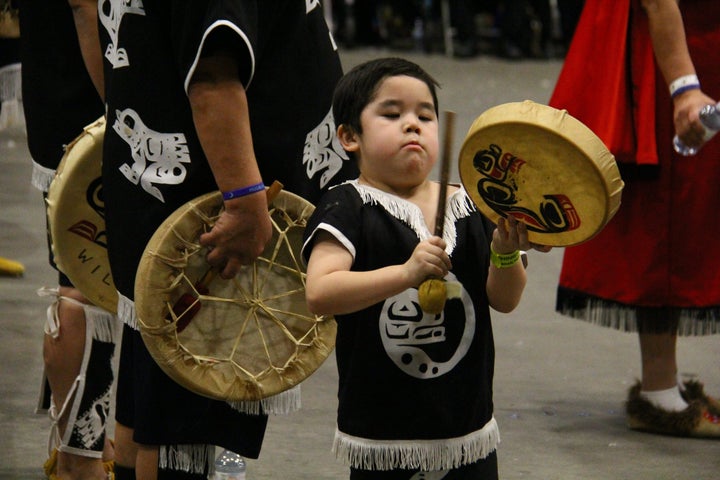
[(222, 122)]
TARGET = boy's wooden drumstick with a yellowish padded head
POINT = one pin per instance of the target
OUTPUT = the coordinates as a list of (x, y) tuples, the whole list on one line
[(433, 291)]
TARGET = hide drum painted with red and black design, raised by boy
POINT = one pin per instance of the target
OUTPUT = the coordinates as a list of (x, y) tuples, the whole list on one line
[(544, 167)]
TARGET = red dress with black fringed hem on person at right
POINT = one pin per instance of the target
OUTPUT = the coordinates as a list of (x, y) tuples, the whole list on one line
[(656, 259)]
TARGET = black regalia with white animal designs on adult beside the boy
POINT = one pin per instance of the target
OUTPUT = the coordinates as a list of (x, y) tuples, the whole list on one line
[(153, 161)]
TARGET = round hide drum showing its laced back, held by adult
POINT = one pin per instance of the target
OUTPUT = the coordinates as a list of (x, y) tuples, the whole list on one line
[(241, 339)]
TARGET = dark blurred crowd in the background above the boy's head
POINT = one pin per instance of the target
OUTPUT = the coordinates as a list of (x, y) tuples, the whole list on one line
[(513, 29)]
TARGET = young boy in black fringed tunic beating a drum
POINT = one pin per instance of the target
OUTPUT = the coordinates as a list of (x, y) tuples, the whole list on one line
[(415, 391)]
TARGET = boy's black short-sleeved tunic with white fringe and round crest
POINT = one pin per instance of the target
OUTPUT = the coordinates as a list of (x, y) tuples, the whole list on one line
[(415, 390)]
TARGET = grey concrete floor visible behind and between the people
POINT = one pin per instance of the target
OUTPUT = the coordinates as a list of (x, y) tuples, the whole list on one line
[(560, 384)]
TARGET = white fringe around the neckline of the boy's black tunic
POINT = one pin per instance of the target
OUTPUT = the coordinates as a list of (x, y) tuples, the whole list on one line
[(459, 206)]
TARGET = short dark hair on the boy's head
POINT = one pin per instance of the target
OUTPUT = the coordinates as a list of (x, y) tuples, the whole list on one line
[(357, 88)]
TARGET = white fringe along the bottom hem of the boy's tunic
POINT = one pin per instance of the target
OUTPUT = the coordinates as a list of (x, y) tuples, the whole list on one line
[(426, 455)]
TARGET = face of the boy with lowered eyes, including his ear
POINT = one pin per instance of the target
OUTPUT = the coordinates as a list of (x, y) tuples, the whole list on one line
[(399, 142)]
